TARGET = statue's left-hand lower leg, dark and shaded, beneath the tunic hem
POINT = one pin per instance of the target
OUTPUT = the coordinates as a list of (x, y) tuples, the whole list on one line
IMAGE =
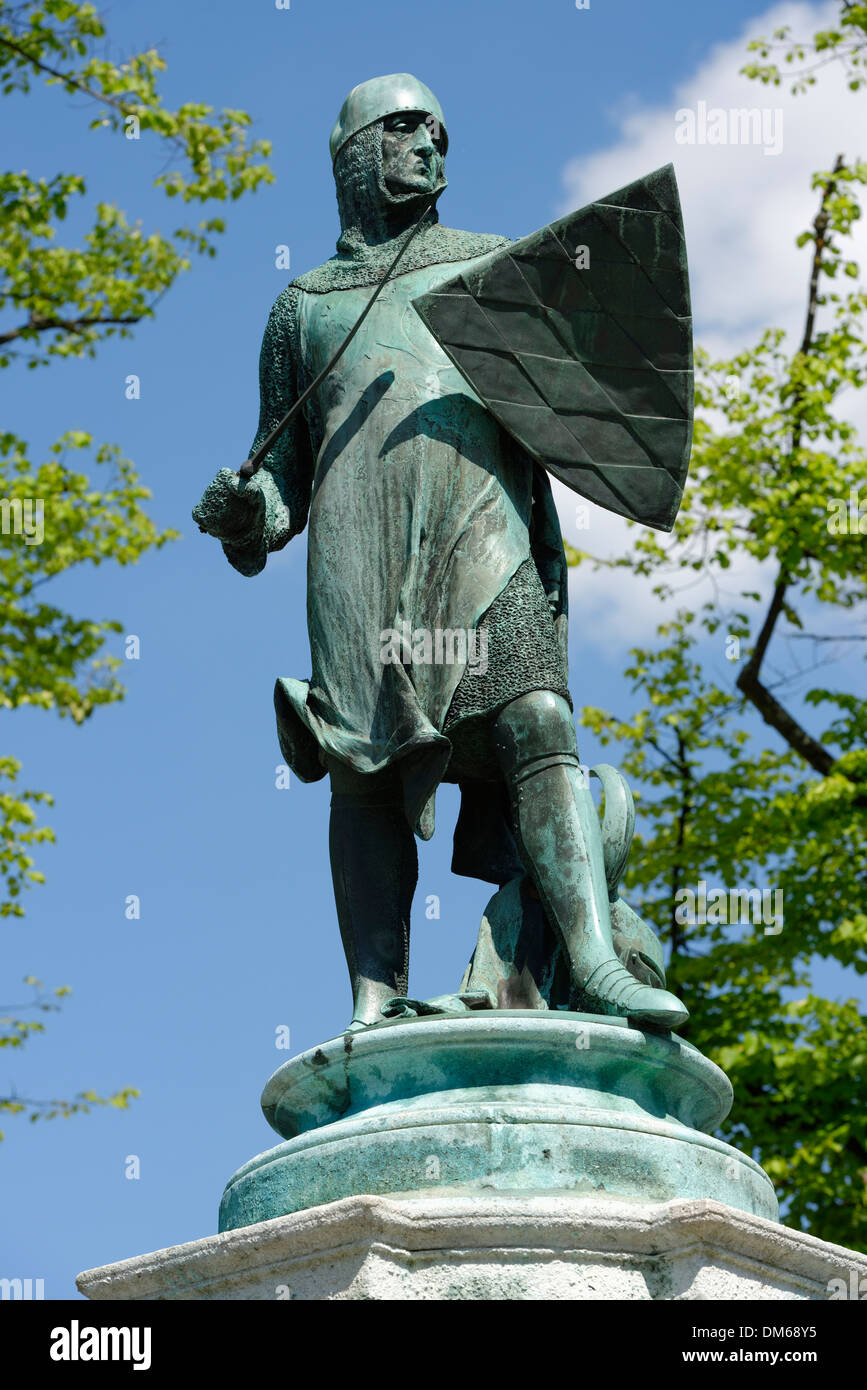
[(374, 868)]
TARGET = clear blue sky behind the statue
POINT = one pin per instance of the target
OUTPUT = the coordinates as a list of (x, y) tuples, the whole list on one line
[(172, 796)]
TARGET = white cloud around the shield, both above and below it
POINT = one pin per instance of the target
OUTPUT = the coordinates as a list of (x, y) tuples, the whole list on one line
[(743, 211)]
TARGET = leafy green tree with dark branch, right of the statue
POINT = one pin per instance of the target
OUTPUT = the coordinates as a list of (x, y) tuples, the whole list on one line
[(777, 480)]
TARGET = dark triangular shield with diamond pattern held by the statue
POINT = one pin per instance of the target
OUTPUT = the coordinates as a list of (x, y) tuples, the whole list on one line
[(579, 340)]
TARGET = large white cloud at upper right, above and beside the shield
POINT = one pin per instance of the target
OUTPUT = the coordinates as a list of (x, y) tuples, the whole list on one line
[(743, 208)]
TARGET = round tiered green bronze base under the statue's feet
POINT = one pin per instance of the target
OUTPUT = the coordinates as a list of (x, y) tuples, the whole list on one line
[(497, 1102)]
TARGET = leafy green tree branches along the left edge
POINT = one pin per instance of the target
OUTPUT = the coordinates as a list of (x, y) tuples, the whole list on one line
[(63, 302)]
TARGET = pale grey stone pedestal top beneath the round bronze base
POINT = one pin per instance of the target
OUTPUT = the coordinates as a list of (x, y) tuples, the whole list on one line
[(494, 1248)]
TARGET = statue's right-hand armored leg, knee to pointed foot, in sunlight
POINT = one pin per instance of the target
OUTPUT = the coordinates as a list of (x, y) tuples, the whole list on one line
[(561, 842)]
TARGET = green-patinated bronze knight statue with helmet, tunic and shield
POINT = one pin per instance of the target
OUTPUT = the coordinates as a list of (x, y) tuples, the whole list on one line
[(437, 590)]
